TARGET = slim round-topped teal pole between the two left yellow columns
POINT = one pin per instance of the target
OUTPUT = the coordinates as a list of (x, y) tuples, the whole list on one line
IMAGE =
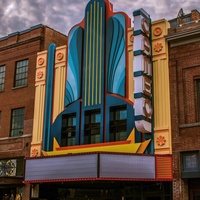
[(48, 98)]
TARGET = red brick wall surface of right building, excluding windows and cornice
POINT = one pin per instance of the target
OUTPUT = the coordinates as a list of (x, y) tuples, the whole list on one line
[(184, 68)]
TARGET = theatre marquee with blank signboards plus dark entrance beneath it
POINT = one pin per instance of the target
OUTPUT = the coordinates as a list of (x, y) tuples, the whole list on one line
[(100, 176)]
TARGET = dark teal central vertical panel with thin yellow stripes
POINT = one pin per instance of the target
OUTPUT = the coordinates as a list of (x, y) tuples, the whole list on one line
[(93, 72)]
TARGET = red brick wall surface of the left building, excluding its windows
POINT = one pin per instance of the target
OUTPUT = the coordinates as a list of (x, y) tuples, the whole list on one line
[(14, 48)]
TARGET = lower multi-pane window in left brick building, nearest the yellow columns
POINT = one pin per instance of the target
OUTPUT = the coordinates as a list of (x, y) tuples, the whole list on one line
[(19, 122)]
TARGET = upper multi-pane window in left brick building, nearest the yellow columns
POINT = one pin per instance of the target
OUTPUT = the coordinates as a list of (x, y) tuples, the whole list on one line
[(21, 73)]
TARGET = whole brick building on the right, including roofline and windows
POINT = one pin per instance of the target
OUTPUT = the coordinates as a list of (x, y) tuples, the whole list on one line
[(184, 72)]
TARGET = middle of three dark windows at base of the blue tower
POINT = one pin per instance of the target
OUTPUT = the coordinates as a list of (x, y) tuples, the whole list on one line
[(92, 127)]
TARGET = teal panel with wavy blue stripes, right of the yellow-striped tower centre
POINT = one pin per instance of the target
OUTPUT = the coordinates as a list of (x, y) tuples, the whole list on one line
[(116, 57)]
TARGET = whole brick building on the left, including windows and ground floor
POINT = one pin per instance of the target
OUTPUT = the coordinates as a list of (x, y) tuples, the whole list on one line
[(18, 53)]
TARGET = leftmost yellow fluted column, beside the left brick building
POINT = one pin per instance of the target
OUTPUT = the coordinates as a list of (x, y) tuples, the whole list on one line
[(38, 119)]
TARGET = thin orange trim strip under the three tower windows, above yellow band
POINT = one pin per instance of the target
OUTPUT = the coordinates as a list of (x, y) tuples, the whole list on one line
[(94, 145)]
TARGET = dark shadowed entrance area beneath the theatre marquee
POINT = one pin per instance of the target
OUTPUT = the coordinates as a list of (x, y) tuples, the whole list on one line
[(110, 190)]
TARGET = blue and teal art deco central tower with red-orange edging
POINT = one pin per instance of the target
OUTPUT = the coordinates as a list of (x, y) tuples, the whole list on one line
[(99, 79)]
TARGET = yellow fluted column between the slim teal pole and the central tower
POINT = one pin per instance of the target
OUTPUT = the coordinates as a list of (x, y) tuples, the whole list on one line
[(59, 81)]
